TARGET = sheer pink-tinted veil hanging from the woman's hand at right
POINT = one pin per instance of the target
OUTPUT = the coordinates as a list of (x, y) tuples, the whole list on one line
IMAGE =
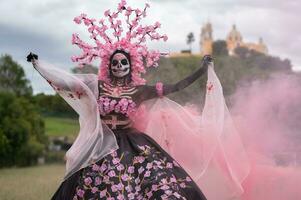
[(207, 146)]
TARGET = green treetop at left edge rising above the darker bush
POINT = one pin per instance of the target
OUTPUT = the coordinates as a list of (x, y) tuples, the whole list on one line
[(12, 77)]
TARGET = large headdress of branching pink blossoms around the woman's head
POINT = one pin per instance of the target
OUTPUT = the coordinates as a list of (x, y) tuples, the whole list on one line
[(132, 42)]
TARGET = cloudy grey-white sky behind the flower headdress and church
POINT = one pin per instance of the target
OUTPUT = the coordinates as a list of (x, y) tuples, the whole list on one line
[(45, 27)]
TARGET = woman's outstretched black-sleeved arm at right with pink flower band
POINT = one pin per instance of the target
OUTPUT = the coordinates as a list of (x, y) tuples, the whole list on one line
[(149, 92)]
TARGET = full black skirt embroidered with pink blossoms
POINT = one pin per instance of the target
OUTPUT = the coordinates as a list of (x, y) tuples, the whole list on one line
[(139, 169)]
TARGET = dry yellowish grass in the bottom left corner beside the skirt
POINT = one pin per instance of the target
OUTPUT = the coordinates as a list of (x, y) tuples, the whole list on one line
[(32, 183)]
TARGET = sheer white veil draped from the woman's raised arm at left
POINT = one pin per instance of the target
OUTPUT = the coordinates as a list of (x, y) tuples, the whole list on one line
[(95, 140)]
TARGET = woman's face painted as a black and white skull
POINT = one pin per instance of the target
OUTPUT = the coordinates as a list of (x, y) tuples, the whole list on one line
[(120, 65)]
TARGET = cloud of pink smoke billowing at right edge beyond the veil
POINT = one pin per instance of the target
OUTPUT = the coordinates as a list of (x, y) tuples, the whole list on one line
[(268, 117)]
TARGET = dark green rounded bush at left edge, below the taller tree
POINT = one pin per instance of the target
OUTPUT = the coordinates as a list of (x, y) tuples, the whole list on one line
[(22, 138)]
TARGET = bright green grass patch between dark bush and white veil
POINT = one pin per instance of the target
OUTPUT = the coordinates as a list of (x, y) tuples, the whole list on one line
[(56, 127)]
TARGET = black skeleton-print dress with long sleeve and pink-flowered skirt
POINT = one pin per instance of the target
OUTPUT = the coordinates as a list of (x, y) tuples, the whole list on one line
[(140, 168)]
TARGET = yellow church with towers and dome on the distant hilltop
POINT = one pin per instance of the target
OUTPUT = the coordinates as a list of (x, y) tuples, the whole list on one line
[(234, 39)]
